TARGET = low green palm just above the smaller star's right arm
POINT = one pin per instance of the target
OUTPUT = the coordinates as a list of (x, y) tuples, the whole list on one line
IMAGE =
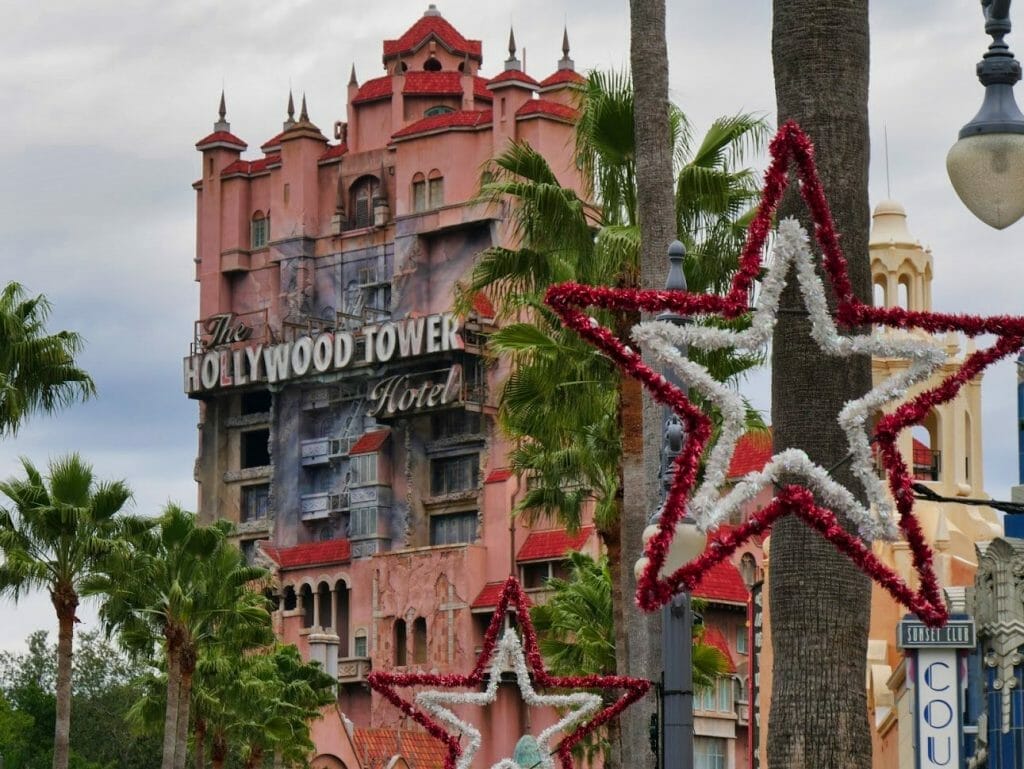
[(576, 636)]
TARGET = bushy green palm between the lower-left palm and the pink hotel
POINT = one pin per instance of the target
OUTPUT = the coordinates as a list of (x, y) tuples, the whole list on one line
[(181, 588)]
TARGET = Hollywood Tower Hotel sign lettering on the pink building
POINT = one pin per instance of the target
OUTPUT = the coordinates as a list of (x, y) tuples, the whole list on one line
[(324, 354)]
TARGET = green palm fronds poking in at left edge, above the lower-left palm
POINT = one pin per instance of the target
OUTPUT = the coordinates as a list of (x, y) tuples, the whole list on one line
[(38, 372)]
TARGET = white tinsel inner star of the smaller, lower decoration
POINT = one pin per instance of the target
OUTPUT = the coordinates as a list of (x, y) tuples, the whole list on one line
[(581, 705)]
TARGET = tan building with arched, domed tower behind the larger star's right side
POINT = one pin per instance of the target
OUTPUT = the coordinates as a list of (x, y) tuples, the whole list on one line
[(946, 454)]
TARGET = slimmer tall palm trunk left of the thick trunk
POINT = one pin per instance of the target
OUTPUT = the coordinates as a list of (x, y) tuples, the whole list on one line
[(643, 419)]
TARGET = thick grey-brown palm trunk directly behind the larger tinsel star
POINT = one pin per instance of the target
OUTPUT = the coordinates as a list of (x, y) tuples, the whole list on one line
[(820, 603)]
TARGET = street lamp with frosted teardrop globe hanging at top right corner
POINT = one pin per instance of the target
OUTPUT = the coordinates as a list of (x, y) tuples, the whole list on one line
[(987, 164)]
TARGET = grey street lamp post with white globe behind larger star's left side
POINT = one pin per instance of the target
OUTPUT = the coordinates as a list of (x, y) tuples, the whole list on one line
[(677, 619)]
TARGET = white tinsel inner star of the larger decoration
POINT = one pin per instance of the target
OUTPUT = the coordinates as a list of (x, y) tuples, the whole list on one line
[(708, 506)]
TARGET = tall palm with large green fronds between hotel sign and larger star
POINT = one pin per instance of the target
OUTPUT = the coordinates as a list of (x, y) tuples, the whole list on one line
[(564, 404)]
